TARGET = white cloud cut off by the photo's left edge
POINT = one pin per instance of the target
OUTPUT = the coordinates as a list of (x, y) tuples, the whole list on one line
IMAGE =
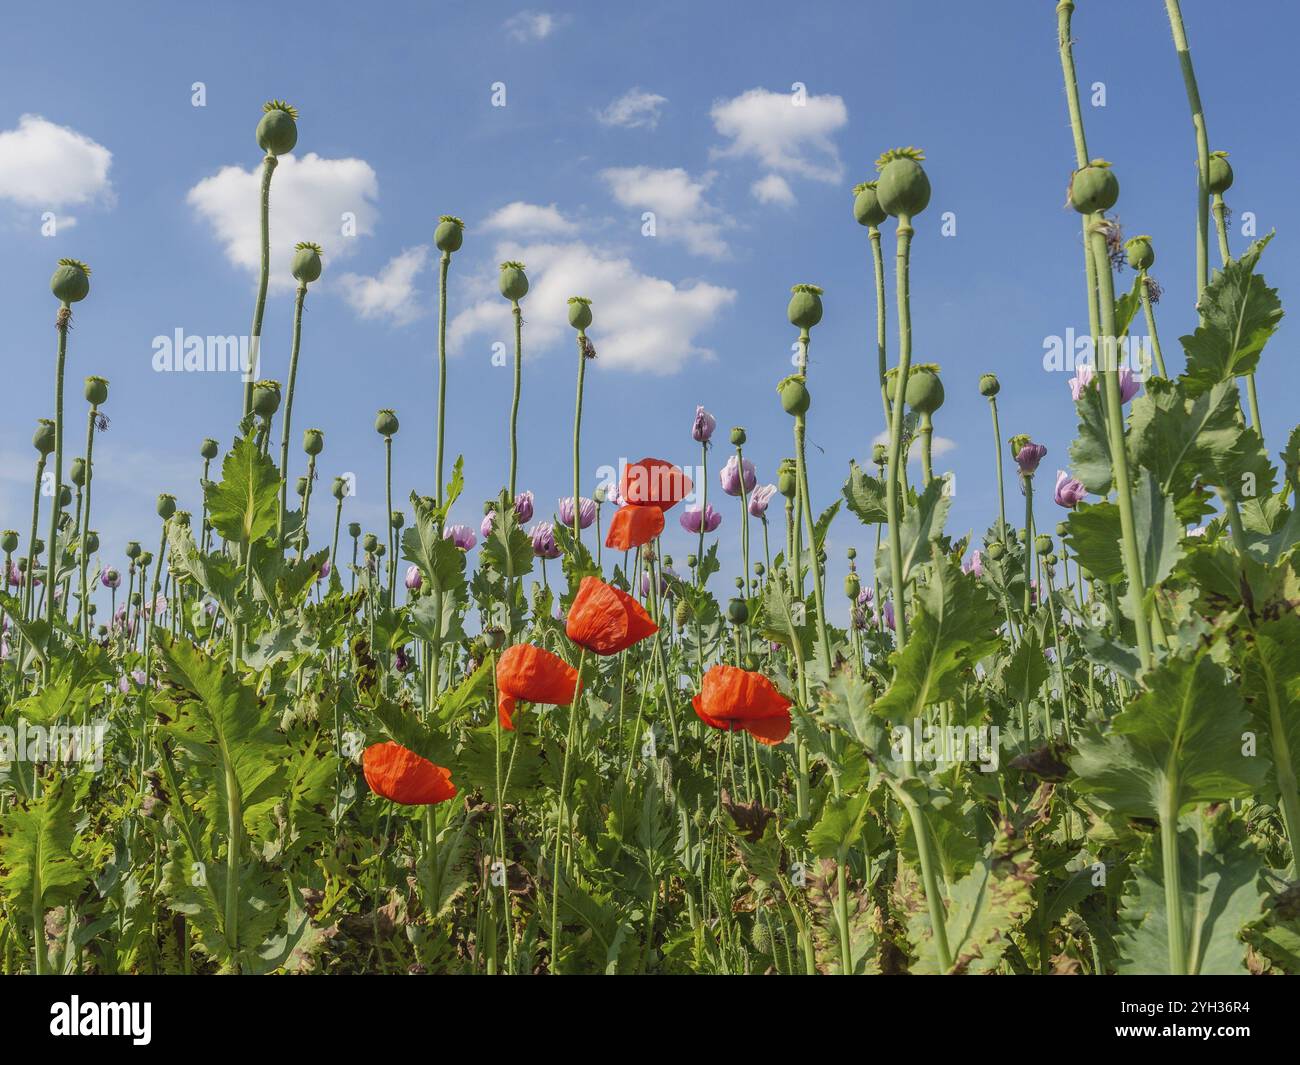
[(47, 166)]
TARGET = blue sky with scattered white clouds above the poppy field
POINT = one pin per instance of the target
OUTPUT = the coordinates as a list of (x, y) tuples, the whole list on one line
[(610, 111)]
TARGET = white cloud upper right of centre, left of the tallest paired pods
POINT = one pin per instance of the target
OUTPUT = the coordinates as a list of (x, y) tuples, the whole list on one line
[(785, 136)]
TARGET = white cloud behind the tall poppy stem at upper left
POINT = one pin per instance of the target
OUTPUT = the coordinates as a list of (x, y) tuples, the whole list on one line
[(310, 198)]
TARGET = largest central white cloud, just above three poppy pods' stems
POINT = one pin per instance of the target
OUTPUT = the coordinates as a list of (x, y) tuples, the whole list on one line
[(642, 323)]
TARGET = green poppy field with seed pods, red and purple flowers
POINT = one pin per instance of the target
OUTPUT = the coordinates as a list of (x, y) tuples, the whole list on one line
[(1067, 746)]
